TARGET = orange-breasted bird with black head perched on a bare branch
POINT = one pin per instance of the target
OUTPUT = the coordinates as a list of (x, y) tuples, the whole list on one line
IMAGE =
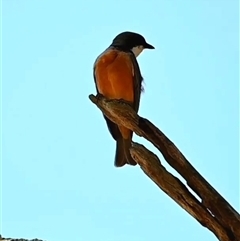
[(117, 76)]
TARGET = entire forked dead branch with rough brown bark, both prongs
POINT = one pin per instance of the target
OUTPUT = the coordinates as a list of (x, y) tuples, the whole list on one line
[(213, 212)]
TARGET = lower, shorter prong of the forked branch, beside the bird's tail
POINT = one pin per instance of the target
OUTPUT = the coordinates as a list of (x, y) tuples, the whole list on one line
[(174, 188)]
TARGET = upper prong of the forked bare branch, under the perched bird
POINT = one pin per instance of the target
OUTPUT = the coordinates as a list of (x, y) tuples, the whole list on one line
[(221, 211)]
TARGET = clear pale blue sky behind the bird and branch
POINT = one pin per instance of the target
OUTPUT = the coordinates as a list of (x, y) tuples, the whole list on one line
[(58, 178)]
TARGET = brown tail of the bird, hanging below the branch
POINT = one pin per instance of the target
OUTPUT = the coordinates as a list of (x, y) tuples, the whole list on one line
[(123, 155)]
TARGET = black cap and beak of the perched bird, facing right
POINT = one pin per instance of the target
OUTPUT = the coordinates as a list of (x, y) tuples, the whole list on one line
[(129, 40)]
